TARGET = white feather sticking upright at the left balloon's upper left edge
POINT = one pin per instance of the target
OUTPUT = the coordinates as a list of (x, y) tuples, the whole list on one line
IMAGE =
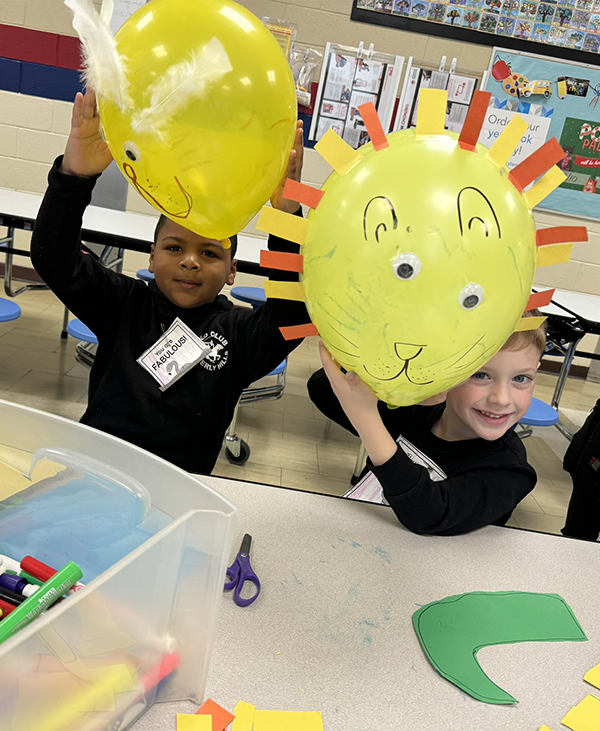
[(104, 70)]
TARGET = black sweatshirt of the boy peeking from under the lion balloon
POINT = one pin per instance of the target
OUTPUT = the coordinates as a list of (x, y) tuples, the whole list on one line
[(485, 479)]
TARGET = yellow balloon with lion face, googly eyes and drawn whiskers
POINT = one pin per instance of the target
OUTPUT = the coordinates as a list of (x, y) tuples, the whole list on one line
[(418, 264)]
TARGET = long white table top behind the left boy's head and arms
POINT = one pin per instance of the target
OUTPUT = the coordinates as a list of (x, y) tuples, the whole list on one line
[(121, 224)]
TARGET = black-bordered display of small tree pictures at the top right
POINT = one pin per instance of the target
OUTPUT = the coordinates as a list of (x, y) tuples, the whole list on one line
[(567, 29)]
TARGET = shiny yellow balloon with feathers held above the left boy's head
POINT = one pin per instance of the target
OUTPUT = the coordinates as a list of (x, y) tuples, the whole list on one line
[(209, 115)]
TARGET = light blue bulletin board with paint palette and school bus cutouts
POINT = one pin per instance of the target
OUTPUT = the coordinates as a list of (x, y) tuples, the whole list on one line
[(565, 98)]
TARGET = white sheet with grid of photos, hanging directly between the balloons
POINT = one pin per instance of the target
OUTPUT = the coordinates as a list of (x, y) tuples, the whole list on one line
[(350, 78)]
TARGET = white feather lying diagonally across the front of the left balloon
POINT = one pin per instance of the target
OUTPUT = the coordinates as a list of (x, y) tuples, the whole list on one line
[(182, 83)]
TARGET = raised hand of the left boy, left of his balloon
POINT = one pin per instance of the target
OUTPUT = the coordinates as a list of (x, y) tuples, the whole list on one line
[(86, 153)]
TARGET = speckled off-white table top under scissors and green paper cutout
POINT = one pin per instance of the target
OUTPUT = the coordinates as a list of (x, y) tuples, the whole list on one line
[(332, 629)]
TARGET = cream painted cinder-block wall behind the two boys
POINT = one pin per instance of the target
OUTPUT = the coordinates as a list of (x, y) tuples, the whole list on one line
[(33, 130)]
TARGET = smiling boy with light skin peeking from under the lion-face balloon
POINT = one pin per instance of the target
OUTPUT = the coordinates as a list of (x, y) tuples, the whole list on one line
[(452, 467)]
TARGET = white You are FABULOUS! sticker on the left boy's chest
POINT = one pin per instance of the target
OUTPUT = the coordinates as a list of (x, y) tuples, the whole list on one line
[(176, 352)]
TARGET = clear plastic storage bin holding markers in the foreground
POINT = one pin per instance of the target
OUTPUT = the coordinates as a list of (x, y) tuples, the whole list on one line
[(153, 543)]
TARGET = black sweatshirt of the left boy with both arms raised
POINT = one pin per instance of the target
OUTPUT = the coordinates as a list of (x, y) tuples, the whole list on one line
[(186, 423)]
